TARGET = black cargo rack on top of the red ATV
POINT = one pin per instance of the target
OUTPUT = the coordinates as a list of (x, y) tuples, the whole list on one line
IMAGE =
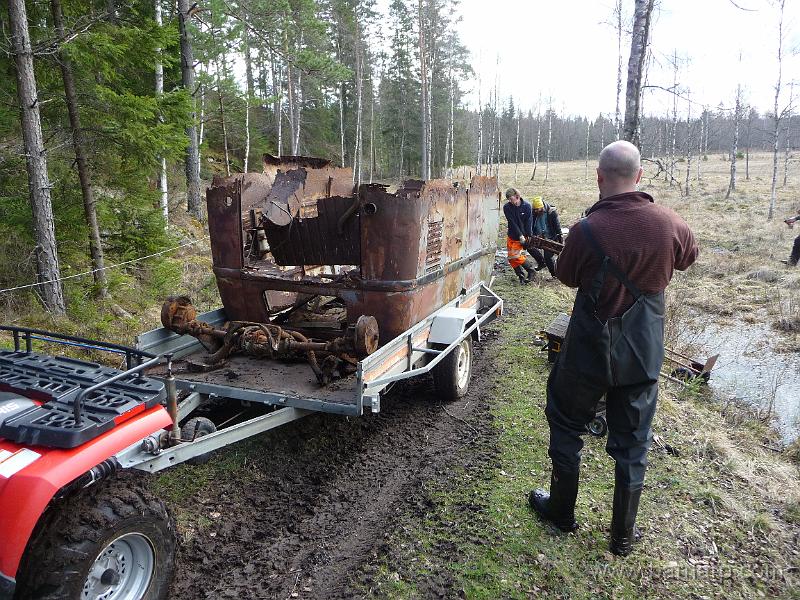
[(75, 400)]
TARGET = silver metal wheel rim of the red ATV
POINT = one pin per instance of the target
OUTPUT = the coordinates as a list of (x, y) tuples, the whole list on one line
[(122, 571)]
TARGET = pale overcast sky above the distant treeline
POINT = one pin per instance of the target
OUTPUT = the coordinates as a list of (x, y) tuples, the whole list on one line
[(567, 50)]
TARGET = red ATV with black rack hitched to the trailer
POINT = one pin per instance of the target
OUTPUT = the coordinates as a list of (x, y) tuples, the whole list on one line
[(63, 425)]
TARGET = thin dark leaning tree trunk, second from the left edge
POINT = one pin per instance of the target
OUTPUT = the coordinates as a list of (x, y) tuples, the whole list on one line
[(78, 143)]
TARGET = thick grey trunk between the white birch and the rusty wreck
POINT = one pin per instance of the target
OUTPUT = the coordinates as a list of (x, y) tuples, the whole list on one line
[(193, 200)]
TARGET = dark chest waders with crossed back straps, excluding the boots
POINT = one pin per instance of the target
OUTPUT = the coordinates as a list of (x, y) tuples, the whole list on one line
[(620, 358)]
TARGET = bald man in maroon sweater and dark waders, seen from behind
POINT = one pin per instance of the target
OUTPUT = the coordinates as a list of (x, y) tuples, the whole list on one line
[(621, 257)]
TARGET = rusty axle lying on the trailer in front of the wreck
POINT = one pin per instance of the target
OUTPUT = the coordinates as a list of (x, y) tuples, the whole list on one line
[(269, 340)]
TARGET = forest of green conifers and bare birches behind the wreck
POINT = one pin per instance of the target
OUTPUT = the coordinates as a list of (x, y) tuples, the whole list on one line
[(141, 102)]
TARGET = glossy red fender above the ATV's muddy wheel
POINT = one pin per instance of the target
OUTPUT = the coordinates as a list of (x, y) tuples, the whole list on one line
[(31, 476)]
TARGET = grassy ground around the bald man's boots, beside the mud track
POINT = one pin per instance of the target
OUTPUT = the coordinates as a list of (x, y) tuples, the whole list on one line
[(699, 539)]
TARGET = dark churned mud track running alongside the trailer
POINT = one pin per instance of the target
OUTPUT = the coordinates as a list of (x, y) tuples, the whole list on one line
[(326, 493)]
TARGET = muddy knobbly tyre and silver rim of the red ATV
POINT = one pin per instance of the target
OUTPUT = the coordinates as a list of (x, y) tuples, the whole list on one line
[(114, 542)]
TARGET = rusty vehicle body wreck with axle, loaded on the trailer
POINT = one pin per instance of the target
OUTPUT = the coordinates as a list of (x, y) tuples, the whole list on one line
[(301, 254)]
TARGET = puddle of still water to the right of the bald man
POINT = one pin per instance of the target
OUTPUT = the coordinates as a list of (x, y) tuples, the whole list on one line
[(751, 370)]
